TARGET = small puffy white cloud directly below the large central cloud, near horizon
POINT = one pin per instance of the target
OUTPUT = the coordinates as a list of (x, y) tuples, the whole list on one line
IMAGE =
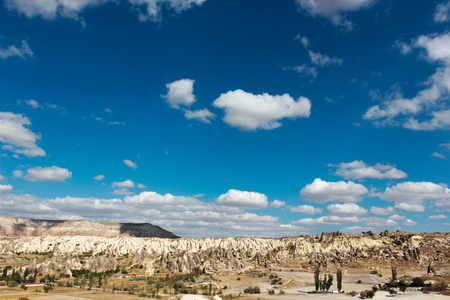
[(242, 199)]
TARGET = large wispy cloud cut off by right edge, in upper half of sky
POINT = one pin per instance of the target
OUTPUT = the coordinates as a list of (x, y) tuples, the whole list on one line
[(428, 110)]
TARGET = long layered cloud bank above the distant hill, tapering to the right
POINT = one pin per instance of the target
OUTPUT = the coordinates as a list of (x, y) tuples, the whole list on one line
[(185, 216)]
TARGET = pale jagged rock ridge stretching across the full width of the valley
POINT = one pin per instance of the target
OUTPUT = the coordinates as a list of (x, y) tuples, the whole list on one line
[(213, 255)]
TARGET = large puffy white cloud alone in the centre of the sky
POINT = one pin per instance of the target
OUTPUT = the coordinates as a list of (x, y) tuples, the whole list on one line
[(250, 112)]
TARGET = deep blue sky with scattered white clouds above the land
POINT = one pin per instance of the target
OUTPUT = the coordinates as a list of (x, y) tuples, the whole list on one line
[(226, 118)]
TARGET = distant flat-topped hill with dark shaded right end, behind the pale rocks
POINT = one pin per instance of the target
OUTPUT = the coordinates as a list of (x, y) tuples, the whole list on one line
[(10, 226)]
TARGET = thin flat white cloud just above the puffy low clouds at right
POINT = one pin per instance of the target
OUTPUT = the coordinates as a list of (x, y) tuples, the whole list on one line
[(360, 170)]
